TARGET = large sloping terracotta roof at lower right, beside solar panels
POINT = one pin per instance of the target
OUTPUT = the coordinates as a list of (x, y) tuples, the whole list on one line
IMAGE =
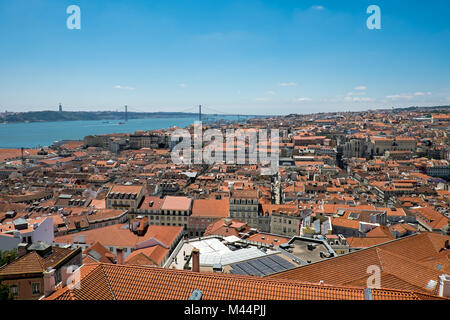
[(408, 263)]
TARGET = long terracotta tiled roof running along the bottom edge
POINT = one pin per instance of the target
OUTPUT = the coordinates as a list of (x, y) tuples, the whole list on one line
[(122, 282)]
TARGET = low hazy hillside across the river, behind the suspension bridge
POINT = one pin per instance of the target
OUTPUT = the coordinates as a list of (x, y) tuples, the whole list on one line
[(44, 116)]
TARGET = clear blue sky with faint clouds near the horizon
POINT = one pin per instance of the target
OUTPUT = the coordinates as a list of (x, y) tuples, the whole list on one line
[(264, 57)]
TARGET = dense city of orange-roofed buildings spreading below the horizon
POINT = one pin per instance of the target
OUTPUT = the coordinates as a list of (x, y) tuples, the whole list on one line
[(352, 192)]
